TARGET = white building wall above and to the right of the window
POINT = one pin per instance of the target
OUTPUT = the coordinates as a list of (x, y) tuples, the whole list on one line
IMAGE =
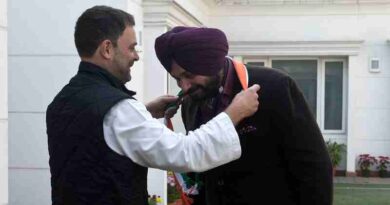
[(368, 128)]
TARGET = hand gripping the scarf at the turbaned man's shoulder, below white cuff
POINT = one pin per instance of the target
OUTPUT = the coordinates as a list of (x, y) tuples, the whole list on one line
[(244, 104)]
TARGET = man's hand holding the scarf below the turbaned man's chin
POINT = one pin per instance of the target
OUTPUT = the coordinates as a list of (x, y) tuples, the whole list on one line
[(157, 107)]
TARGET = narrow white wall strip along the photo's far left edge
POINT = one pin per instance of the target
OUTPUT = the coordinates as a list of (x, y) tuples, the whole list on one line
[(3, 104)]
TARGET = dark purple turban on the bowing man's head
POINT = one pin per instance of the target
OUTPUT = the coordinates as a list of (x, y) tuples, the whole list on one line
[(200, 51)]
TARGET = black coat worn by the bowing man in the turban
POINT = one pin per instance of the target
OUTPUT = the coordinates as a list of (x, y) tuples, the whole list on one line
[(280, 144)]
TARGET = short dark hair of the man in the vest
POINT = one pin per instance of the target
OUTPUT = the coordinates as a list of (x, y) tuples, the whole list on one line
[(97, 24)]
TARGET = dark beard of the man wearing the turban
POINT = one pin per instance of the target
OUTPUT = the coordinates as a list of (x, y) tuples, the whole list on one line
[(210, 89)]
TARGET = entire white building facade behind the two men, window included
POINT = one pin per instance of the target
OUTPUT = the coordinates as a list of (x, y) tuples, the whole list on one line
[(338, 51)]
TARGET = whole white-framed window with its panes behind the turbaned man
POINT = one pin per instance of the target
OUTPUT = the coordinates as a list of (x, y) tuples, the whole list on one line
[(323, 83)]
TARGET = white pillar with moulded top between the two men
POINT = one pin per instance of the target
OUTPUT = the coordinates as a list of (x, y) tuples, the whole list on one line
[(159, 16)]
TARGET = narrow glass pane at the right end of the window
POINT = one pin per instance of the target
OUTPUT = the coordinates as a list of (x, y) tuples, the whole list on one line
[(333, 95)]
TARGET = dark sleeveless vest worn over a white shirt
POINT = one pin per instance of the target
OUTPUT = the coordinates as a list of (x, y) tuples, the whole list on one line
[(84, 170)]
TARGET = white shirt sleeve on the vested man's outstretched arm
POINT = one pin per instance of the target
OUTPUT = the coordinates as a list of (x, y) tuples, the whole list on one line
[(130, 130)]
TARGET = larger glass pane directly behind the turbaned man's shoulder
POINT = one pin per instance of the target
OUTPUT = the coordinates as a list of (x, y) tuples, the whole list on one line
[(304, 72)]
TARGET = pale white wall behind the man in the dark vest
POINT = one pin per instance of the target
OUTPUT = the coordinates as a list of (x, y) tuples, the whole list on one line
[(42, 58)]
